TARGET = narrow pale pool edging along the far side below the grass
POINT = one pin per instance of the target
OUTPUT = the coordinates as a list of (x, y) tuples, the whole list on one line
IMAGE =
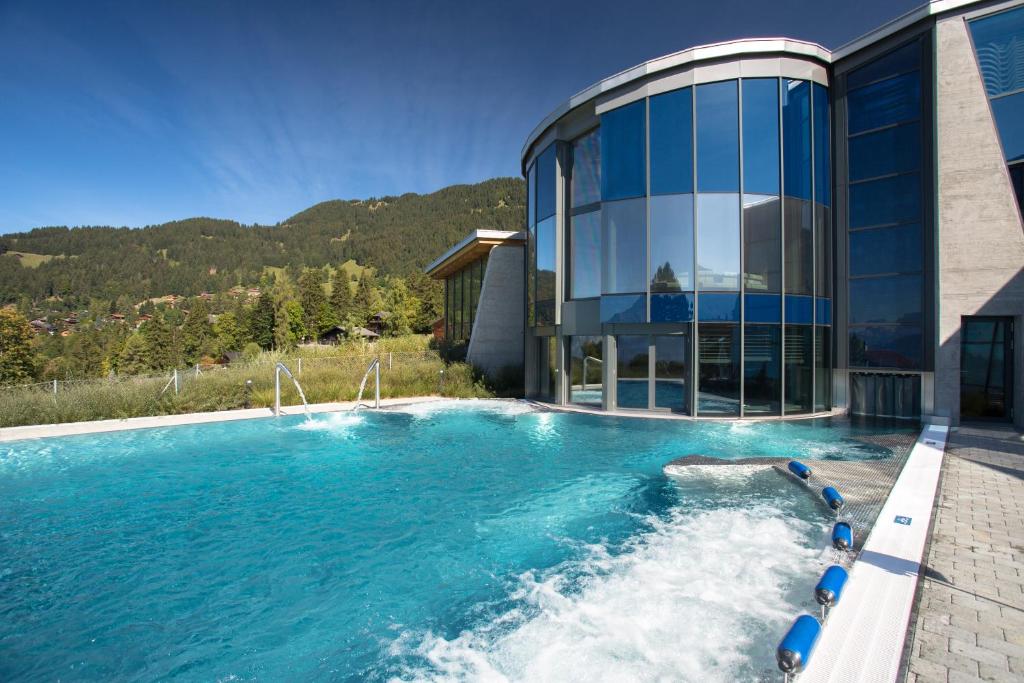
[(100, 426)]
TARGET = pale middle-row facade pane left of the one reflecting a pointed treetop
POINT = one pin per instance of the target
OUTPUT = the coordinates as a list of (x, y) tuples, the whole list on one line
[(624, 247)]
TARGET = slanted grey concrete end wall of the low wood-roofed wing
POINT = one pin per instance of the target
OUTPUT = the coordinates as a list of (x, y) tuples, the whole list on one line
[(497, 339)]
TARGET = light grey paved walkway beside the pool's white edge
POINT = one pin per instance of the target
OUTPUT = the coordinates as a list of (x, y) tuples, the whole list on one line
[(970, 621)]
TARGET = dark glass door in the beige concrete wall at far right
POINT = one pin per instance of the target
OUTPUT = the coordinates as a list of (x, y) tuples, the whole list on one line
[(987, 368)]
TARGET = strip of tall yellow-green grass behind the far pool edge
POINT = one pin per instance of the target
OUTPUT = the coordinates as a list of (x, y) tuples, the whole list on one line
[(325, 377)]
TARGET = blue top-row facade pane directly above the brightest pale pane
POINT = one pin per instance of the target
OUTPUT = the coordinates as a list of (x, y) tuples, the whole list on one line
[(718, 138)]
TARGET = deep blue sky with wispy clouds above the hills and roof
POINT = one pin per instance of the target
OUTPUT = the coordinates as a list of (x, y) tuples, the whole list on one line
[(138, 113)]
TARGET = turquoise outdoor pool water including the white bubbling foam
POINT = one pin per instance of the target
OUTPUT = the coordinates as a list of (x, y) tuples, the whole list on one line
[(463, 541)]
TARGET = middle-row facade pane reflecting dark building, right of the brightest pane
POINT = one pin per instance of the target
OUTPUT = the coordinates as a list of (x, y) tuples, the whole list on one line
[(762, 243)]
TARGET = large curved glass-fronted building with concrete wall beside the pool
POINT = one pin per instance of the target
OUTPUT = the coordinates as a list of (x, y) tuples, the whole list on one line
[(769, 229)]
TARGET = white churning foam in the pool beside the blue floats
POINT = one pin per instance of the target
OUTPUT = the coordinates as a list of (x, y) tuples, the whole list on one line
[(685, 603)]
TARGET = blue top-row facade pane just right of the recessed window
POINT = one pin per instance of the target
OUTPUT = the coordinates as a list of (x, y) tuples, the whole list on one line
[(623, 163)]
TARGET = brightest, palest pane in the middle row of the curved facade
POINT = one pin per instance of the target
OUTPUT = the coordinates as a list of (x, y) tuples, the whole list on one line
[(718, 242)]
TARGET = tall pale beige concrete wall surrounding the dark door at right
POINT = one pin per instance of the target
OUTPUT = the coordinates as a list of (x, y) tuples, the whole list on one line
[(980, 241)]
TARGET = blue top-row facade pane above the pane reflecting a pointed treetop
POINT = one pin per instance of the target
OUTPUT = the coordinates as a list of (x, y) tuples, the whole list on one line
[(672, 143)]
